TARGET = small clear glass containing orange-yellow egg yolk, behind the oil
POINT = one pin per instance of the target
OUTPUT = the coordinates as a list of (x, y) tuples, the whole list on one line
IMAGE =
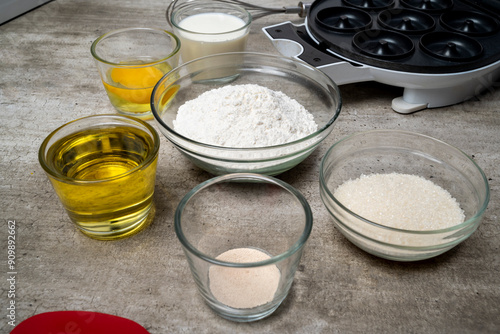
[(130, 62)]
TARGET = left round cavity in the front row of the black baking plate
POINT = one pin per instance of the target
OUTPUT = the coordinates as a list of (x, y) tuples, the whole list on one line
[(383, 44)]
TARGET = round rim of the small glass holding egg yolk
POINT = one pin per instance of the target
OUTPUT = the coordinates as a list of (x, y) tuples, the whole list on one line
[(133, 65)]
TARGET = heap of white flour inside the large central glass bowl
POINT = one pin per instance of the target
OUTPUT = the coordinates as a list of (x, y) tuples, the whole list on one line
[(244, 116)]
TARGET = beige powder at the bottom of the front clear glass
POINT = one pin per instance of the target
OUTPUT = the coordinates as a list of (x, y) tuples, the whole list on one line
[(244, 287)]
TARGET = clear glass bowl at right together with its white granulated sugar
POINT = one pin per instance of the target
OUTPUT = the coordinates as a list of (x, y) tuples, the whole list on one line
[(400, 195)]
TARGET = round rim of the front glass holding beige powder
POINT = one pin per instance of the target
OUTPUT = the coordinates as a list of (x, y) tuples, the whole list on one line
[(296, 246)]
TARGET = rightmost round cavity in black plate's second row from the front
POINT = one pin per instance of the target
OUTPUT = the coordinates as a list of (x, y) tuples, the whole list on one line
[(469, 23)]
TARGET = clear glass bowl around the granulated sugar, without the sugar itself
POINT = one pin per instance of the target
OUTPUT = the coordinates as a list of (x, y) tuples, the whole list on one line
[(393, 151)]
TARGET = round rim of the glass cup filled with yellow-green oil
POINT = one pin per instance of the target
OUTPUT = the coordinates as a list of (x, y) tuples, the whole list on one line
[(149, 159)]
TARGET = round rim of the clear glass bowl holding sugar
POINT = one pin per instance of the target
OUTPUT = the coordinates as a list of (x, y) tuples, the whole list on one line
[(329, 194)]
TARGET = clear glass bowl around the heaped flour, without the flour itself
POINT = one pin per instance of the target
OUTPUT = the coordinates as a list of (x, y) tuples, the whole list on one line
[(300, 81)]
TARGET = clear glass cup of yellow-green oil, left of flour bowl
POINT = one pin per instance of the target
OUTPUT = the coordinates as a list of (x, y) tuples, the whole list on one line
[(103, 170)]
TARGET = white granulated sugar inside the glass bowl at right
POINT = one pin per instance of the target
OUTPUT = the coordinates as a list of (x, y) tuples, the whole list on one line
[(402, 201)]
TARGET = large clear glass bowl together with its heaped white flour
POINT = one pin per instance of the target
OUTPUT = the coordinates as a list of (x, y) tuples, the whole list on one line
[(246, 112)]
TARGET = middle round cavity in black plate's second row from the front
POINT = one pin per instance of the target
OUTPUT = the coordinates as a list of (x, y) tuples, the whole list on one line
[(406, 21)]
